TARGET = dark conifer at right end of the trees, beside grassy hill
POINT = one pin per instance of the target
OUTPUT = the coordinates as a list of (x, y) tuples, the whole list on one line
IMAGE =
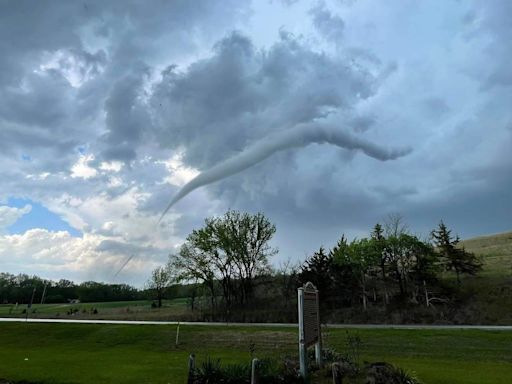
[(455, 259)]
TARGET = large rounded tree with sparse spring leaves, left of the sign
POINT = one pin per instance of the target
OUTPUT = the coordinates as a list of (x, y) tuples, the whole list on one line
[(230, 250)]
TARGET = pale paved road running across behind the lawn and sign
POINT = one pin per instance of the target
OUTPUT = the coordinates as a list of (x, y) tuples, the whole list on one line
[(283, 325)]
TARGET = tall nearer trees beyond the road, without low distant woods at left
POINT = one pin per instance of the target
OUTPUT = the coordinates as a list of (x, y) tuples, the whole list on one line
[(227, 261)]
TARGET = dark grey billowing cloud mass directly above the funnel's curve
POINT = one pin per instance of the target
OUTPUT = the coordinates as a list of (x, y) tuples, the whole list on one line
[(242, 94)]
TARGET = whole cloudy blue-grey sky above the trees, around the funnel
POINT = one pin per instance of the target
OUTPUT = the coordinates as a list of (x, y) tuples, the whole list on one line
[(109, 108)]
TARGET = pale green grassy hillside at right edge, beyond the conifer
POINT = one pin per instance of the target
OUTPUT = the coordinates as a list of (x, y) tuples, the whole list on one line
[(496, 252)]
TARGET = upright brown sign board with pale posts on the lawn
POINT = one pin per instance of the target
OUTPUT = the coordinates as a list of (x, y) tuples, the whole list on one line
[(309, 325)]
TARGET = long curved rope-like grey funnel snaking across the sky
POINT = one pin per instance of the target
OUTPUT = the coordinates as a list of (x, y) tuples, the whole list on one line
[(300, 136)]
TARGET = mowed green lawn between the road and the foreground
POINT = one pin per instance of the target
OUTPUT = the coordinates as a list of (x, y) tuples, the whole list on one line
[(87, 353)]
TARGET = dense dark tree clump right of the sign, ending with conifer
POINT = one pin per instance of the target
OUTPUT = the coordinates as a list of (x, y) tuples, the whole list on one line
[(390, 265)]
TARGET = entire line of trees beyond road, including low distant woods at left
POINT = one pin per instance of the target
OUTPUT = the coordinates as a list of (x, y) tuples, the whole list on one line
[(224, 269)]
